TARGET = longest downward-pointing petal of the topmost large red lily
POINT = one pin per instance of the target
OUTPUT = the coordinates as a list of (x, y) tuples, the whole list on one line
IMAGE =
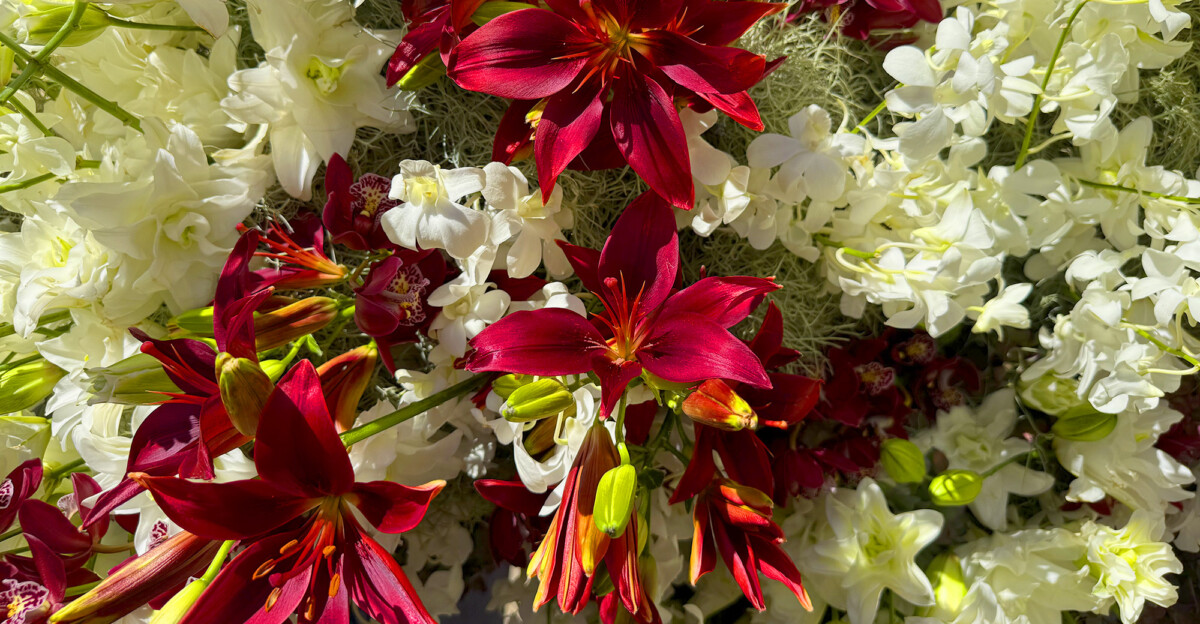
[(647, 130)]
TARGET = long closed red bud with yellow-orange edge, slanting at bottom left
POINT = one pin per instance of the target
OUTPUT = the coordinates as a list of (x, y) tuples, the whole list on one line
[(141, 580)]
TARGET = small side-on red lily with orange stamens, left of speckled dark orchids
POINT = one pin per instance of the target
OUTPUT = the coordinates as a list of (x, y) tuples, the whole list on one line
[(299, 248)]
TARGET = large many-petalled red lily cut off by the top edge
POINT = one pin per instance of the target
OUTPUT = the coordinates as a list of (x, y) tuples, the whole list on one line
[(617, 64)]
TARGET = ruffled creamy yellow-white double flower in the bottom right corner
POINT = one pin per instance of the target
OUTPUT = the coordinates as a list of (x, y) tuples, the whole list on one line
[(1130, 566)]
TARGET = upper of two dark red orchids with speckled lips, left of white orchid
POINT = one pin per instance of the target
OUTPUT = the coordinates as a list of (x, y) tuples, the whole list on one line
[(355, 208)]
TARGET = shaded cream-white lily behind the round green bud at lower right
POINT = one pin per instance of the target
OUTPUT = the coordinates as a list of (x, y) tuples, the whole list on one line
[(977, 440)]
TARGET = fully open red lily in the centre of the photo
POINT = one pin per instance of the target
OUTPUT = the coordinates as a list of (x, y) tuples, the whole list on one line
[(682, 338)]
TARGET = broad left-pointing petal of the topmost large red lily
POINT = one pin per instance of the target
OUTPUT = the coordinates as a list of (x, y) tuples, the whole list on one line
[(519, 56)]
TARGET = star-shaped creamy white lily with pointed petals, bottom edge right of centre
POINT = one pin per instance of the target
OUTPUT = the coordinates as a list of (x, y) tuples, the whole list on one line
[(868, 549)]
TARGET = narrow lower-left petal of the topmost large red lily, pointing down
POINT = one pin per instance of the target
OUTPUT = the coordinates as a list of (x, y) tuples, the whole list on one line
[(568, 125)]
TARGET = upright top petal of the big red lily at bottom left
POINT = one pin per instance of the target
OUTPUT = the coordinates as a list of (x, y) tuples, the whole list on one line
[(297, 447)]
